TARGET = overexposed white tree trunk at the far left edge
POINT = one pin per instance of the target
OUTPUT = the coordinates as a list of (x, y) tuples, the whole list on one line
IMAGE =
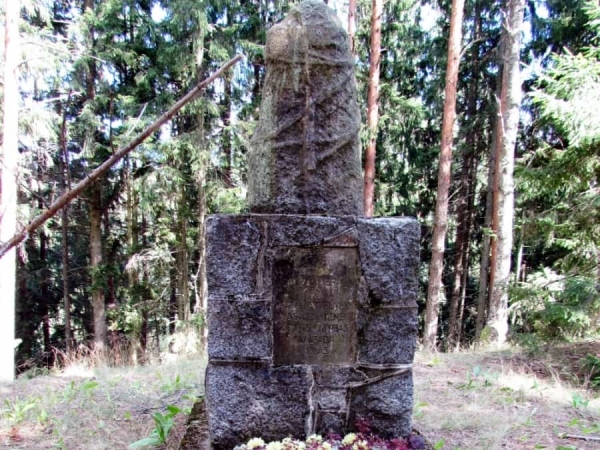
[(8, 188)]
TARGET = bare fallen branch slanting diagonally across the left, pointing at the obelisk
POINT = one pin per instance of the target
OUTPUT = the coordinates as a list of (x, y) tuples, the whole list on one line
[(67, 197)]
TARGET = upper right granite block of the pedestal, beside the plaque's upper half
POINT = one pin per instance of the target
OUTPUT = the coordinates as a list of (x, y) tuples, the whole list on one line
[(389, 253)]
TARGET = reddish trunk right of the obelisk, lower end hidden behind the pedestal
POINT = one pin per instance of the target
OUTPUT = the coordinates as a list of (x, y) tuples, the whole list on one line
[(373, 106)]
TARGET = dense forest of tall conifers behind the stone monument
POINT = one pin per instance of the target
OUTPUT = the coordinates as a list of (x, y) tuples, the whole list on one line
[(122, 267)]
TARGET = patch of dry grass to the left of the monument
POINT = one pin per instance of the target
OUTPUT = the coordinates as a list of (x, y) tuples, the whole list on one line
[(96, 408)]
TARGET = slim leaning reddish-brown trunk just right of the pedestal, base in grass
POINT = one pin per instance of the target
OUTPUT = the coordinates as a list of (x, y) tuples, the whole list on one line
[(436, 267)]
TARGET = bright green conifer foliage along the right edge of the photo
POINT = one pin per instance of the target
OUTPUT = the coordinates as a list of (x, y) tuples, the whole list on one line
[(558, 184)]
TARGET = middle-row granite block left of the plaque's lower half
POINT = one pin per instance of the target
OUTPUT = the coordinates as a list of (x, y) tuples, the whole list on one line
[(239, 330)]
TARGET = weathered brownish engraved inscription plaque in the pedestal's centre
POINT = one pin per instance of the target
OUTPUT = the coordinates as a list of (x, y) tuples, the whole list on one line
[(314, 310)]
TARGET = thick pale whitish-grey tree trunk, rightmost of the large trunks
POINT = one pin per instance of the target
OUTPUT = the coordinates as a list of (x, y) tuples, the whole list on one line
[(503, 210)]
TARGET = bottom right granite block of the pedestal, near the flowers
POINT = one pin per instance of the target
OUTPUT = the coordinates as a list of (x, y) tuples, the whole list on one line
[(387, 404)]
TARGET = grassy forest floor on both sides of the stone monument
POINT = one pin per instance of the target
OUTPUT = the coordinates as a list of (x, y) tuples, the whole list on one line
[(469, 400)]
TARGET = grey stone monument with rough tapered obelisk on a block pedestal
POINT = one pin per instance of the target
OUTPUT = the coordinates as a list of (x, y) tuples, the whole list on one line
[(312, 310)]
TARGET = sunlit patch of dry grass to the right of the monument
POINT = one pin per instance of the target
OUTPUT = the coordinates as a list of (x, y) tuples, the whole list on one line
[(481, 400)]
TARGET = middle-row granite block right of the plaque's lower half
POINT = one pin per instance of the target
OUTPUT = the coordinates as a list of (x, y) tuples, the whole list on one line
[(388, 336)]
